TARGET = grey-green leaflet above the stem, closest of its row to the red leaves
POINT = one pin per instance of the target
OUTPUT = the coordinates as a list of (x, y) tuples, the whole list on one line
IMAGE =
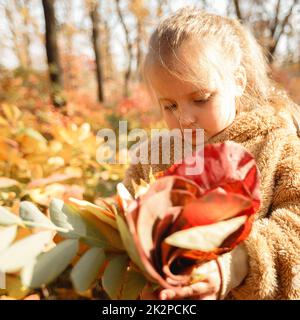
[(68, 218)]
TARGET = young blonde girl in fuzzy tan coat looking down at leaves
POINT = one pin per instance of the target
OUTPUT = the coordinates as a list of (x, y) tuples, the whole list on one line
[(207, 71)]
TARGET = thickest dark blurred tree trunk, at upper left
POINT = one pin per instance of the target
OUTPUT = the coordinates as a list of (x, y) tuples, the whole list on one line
[(54, 67)]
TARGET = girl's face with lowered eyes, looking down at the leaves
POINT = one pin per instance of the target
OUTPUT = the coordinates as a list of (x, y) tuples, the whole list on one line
[(186, 106)]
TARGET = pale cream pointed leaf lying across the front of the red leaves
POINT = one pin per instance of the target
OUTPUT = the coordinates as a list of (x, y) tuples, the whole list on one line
[(205, 238)]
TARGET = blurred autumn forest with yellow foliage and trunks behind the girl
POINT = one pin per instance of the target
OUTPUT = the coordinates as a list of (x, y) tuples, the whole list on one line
[(71, 67)]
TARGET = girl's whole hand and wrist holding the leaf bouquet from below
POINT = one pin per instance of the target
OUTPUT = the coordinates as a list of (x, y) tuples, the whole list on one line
[(207, 289)]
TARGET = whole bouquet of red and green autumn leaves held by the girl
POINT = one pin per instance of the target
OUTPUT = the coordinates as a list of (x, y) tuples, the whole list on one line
[(158, 236)]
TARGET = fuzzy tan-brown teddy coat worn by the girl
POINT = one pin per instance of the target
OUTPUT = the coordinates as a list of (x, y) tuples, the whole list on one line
[(273, 246)]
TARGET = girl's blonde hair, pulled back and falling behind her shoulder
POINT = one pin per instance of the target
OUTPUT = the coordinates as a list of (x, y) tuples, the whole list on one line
[(232, 40)]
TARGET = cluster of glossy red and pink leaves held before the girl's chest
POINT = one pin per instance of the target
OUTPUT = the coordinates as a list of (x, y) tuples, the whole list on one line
[(228, 187)]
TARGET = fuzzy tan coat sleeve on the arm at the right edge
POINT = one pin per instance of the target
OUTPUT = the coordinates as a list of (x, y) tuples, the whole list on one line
[(273, 246)]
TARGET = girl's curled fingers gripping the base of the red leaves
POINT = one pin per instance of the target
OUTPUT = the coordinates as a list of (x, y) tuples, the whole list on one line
[(196, 289)]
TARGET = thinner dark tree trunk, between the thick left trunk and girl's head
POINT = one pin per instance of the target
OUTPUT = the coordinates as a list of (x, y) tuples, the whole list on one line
[(95, 18)]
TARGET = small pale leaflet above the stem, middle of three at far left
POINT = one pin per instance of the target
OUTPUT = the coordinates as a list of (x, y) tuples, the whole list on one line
[(34, 217)]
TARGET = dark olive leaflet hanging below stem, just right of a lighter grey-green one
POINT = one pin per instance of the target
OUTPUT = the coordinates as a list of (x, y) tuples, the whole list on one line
[(113, 277)]
